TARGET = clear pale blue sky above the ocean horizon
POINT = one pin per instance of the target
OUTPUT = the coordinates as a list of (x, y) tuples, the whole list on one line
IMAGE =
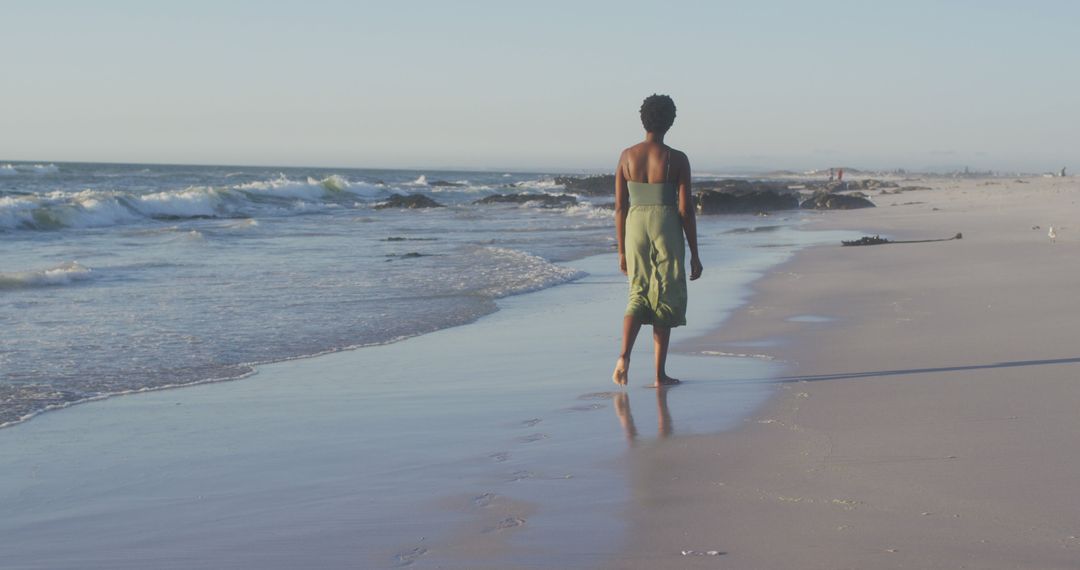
[(543, 85)]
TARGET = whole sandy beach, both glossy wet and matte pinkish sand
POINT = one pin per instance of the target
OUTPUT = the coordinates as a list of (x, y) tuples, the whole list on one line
[(894, 406)]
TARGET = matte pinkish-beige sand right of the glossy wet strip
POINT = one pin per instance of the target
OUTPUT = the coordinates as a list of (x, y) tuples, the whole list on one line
[(930, 423)]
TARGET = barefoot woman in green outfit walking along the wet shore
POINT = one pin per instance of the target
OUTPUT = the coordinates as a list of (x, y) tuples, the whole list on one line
[(654, 210)]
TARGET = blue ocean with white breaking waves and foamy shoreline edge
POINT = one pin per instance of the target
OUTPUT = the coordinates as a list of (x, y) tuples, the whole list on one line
[(121, 278)]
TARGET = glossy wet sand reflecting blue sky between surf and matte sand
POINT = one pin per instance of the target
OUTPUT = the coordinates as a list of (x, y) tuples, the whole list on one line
[(495, 444)]
